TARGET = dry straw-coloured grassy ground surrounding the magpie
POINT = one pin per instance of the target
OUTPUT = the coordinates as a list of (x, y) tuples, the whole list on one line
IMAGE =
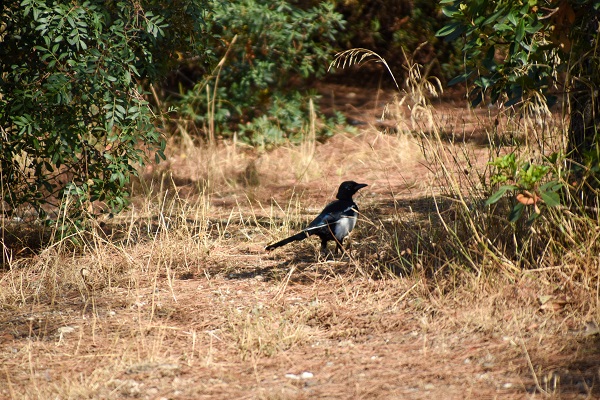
[(177, 299)]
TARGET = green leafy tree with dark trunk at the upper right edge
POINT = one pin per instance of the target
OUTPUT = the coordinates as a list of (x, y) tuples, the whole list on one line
[(521, 53)]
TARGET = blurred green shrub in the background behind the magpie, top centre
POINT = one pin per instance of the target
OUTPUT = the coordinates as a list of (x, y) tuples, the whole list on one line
[(270, 51)]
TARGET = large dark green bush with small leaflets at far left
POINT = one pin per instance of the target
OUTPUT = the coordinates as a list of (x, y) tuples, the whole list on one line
[(74, 115)]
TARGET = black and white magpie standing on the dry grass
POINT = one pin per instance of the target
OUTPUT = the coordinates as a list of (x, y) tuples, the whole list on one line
[(335, 221)]
